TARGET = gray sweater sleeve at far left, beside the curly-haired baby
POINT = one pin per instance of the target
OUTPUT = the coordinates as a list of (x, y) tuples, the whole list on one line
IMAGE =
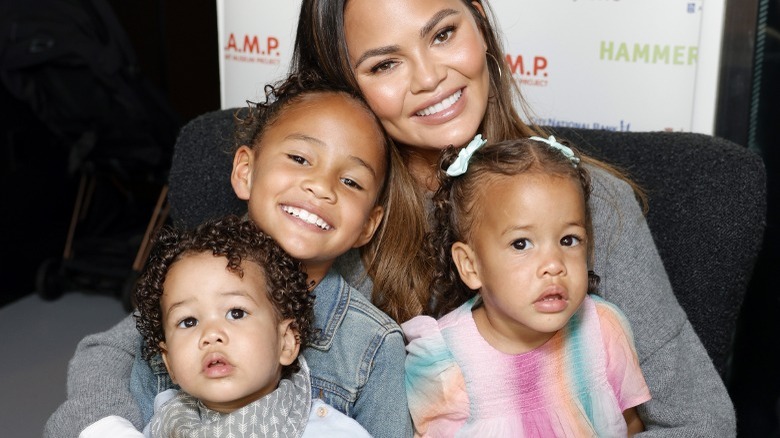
[(98, 384)]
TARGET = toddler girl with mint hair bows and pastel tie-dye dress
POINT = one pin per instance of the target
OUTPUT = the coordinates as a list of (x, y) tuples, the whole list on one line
[(522, 349)]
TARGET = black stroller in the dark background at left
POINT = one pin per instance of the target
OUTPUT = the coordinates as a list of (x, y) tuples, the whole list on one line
[(71, 63)]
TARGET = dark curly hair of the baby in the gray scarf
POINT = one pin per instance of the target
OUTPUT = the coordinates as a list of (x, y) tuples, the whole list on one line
[(238, 240)]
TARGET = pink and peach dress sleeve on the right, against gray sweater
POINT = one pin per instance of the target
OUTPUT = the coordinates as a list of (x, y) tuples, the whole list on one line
[(621, 360)]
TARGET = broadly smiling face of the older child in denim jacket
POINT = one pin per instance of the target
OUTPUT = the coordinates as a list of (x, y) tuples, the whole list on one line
[(314, 178)]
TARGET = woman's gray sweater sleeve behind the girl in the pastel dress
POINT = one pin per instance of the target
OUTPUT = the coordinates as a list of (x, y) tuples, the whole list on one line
[(688, 396)]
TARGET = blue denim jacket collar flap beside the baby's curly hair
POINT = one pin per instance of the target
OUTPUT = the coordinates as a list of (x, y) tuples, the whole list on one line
[(330, 306)]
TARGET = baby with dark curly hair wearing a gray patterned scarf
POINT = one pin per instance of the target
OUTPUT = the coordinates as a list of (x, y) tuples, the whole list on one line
[(228, 310)]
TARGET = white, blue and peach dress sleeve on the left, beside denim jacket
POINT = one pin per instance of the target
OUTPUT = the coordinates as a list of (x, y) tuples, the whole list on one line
[(435, 386)]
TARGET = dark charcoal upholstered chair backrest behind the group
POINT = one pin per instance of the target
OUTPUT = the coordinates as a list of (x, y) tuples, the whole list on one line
[(707, 207)]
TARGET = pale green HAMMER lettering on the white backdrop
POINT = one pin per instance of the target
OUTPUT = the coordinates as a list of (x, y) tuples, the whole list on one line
[(645, 53)]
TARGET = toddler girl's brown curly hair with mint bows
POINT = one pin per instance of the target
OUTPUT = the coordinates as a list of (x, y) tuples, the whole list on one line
[(457, 207)]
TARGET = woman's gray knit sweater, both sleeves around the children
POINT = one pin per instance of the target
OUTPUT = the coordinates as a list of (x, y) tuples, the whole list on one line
[(689, 398)]
